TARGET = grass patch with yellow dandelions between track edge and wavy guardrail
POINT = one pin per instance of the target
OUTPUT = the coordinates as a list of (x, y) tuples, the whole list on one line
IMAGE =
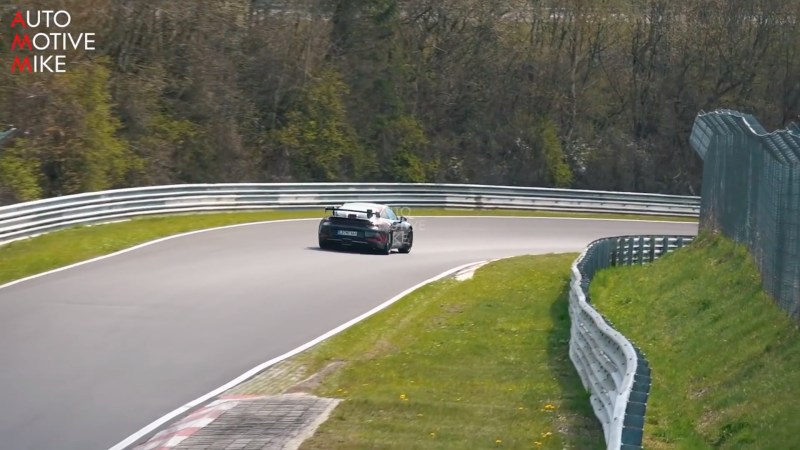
[(480, 363)]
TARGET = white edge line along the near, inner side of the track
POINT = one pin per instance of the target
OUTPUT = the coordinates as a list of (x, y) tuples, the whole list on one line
[(132, 439)]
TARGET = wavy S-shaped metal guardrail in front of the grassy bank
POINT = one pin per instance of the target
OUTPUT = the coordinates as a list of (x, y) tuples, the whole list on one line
[(612, 369)]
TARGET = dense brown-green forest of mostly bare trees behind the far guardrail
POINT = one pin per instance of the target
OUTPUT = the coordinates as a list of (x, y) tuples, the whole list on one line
[(595, 94)]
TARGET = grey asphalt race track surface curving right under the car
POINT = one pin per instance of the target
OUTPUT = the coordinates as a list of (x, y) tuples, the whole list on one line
[(91, 354)]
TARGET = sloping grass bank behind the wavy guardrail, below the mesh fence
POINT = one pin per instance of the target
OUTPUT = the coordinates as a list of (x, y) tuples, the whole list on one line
[(724, 356)]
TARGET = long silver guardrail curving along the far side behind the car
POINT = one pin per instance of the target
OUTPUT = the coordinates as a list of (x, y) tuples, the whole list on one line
[(41, 216)]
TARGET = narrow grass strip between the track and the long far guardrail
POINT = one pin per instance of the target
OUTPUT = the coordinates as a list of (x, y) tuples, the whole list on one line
[(31, 256)]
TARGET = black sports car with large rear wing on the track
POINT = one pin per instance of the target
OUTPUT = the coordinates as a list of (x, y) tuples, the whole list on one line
[(369, 225)]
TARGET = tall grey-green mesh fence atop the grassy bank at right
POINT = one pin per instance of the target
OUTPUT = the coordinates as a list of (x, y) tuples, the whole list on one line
[(751, 193)]
